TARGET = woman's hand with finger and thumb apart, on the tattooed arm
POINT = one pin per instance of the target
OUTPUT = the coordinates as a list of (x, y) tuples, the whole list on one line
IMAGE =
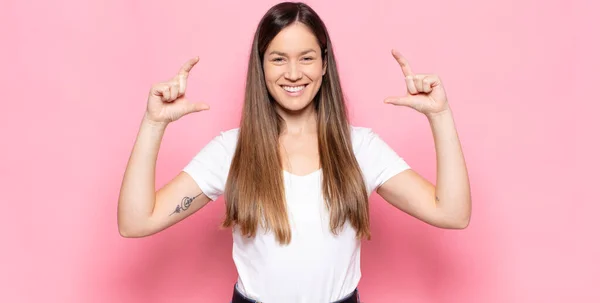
[(167, 102)]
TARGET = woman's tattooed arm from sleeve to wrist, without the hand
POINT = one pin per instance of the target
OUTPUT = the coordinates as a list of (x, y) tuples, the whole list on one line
[(141, 210)]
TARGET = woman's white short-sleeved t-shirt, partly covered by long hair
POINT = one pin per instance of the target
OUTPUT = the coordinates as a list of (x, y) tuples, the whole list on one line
[(316, 266)]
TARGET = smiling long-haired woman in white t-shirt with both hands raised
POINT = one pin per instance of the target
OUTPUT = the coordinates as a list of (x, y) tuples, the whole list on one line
[(296, 176)]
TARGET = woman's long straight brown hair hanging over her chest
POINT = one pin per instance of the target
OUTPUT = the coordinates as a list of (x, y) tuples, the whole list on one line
[(254, 192)]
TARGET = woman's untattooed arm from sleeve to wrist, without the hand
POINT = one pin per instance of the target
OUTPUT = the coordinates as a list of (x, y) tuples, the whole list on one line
[(447, 205)]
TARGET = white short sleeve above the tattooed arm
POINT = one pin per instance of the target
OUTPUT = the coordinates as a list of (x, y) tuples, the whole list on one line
[(210, 167)]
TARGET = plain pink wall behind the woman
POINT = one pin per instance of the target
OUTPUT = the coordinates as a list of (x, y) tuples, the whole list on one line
[(521, 78)]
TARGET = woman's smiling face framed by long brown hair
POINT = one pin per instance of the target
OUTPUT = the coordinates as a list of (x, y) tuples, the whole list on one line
[(293, 67)]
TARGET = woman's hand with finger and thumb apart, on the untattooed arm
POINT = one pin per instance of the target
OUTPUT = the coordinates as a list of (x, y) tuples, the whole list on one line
[(425, 92)]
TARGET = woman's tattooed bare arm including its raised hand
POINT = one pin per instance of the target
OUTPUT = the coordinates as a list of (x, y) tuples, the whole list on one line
[(141, 210)]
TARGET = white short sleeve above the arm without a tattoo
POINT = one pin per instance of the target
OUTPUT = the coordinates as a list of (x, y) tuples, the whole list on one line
[(378, 161)]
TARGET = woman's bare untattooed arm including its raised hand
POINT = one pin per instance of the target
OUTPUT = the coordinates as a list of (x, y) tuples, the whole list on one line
[(448, 204)]
